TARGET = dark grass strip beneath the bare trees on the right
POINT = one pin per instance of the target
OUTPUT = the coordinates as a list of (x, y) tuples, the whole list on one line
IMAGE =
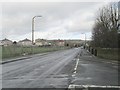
[(108, 53)]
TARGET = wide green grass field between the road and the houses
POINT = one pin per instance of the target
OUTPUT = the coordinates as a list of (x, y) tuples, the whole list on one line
[(15, 51)]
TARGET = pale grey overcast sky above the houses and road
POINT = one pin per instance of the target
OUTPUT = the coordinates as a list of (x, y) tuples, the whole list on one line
[(60, 20)]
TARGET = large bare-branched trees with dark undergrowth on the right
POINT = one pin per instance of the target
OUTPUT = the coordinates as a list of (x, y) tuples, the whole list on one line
[(105, 30)]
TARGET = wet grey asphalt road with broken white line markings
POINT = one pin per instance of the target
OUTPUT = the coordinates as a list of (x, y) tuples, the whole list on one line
[(59, 69)]
